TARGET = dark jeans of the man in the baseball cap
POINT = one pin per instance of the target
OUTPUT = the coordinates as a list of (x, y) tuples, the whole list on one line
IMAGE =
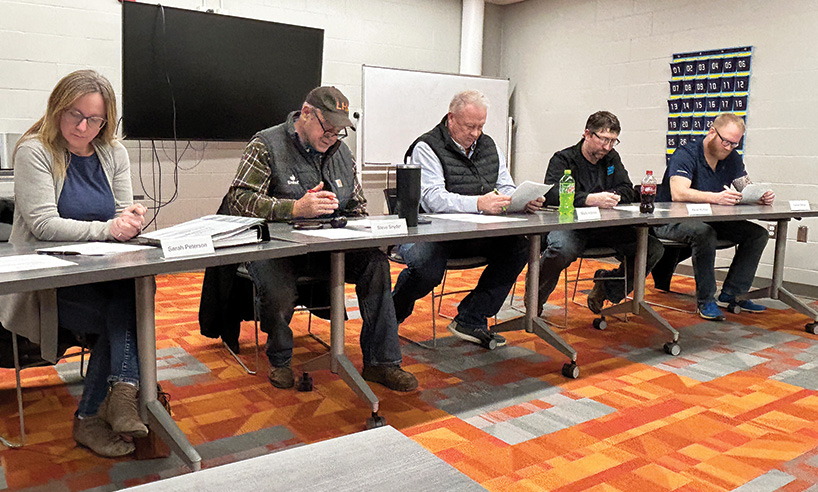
[(277, 294)]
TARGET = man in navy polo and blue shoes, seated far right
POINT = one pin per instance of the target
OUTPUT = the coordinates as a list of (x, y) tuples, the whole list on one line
[(702, 172)]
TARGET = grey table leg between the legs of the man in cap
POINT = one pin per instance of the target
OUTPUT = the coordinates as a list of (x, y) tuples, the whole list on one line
[(336, 361)]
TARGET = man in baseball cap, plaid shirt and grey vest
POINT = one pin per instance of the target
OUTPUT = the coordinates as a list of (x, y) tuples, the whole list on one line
[(302, 169)]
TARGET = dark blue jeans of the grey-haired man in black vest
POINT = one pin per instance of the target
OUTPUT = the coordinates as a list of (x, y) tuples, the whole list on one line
[(426, 264)]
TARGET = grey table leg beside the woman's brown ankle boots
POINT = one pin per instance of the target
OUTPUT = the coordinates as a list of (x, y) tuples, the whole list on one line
[(152, 412)]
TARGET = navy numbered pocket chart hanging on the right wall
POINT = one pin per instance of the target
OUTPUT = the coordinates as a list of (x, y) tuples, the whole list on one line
[(702, 85)]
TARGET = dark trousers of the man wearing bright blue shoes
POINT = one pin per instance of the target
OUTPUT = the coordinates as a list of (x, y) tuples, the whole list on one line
[(702, 236)]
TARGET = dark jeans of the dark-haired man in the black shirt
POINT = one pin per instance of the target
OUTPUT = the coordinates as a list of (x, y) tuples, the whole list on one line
[(561, 248)]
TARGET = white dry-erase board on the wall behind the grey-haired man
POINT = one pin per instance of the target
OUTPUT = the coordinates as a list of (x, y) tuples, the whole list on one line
[(401, 105)]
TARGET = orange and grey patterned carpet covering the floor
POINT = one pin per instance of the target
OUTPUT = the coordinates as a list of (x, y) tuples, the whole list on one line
[(737, 410)]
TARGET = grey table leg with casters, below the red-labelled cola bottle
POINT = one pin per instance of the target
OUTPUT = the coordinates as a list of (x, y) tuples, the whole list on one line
[(637, 305)]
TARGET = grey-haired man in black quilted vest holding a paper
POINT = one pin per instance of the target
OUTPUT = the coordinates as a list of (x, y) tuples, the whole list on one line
[(463, 171)]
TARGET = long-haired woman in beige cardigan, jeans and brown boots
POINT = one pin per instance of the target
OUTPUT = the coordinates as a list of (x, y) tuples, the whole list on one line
[(72, 183)]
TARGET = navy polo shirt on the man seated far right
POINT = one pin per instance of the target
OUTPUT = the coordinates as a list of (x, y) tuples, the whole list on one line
[(689, 162)]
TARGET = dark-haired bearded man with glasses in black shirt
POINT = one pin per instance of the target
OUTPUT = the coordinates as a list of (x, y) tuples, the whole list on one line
[(601, 181)]
